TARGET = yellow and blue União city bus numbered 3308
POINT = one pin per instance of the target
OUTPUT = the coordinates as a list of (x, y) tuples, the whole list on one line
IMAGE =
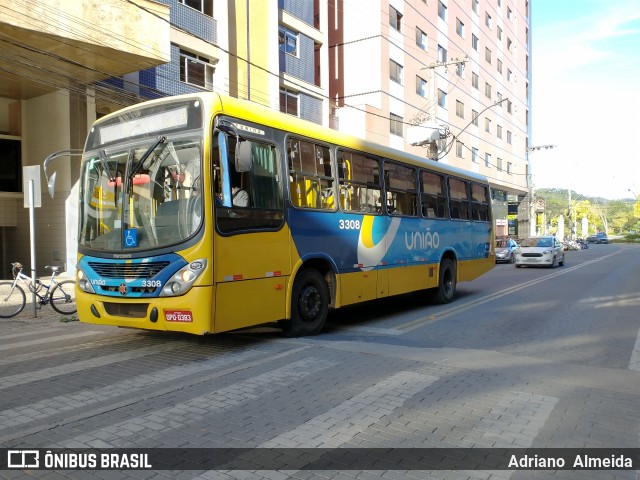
[(204, 214)]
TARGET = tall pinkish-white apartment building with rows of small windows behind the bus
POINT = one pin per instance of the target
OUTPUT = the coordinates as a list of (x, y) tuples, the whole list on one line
[(444, 79)]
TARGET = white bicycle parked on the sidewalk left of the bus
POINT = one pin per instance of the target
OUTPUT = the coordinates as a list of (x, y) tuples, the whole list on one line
[(61, 295)]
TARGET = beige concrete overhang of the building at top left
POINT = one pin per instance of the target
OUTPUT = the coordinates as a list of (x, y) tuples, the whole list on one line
[(51, 45)]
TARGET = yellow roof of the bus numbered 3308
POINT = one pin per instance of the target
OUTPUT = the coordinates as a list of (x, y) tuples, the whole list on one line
[(257, 113)]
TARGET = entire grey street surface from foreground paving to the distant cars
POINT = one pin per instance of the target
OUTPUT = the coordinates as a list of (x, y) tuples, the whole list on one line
[(524, 358)]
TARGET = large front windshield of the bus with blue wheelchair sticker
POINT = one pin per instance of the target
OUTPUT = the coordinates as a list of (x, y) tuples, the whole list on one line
[(143, 196)]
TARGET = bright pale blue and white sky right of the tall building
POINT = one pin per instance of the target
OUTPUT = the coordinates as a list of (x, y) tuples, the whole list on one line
[(586, 96)]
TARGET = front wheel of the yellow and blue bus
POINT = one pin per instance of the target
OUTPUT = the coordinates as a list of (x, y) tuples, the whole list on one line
[(309, 305)]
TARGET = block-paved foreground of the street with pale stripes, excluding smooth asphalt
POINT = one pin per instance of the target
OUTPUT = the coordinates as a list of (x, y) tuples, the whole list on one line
[(81, 386)]
